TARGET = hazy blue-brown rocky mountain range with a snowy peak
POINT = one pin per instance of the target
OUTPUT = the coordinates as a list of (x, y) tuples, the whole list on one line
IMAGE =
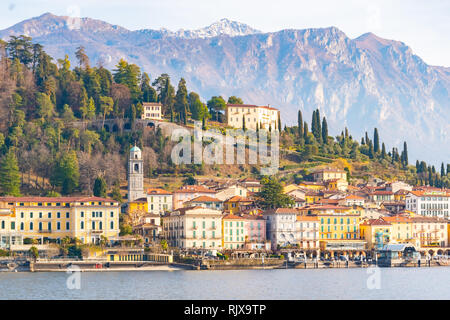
[(360, 83)]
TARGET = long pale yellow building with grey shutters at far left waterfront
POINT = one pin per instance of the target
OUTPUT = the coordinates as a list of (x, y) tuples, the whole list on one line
[(84, 218)]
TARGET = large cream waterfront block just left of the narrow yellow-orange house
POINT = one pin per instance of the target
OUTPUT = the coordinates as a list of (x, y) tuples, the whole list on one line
[(194, 227)]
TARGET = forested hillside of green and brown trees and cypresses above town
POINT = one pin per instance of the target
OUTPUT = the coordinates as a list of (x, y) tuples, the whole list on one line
[(48, 146)]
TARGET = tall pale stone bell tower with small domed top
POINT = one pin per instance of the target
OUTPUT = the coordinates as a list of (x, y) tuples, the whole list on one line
[(135, 174)]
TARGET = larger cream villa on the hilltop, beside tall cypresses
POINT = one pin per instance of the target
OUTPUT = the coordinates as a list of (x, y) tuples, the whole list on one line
[(263, 116)]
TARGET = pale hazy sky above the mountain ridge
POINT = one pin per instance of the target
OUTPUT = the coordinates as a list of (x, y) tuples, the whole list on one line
[(424, 25)]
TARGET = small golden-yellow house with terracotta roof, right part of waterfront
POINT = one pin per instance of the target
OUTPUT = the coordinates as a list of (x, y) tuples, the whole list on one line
[(376, 232)]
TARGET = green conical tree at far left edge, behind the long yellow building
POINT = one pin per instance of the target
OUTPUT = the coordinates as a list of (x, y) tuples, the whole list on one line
[(9, 175)]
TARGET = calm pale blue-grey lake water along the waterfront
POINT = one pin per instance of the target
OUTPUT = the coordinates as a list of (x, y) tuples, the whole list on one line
[(389, 283)]
